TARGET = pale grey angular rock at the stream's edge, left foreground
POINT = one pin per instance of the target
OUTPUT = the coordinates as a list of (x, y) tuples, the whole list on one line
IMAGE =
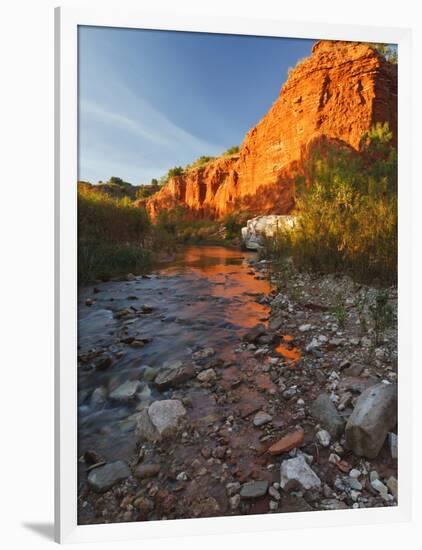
[(161, 419)]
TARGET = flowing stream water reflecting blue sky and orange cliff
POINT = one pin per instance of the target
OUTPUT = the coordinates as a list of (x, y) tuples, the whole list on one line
[(206, 297)]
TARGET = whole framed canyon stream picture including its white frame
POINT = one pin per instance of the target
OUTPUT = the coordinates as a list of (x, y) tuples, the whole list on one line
[(232, 275)]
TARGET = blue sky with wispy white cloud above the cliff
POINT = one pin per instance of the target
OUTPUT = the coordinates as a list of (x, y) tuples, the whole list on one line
[(150, 100)]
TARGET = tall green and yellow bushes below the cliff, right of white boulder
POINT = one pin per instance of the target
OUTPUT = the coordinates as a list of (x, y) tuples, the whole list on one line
[(346, 210)]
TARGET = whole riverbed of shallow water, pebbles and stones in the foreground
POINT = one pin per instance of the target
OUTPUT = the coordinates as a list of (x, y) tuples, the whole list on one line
[(215, 386)]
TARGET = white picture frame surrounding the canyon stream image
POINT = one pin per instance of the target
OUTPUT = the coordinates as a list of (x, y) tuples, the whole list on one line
[(66, 25)]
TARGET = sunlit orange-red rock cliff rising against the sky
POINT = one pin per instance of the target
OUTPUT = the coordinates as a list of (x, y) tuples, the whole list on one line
[(335, 95)]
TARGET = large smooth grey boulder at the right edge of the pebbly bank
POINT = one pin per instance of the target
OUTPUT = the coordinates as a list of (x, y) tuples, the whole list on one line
[(375, 414)]
